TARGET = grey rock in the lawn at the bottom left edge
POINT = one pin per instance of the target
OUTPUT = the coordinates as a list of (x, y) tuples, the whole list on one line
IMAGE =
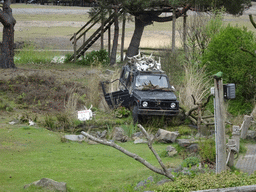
[(49, 184)]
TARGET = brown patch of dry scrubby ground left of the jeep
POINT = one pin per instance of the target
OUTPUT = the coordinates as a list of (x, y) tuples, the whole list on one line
[(41, 93)]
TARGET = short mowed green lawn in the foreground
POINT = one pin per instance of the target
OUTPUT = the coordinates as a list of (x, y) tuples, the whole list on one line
[(28, 154)]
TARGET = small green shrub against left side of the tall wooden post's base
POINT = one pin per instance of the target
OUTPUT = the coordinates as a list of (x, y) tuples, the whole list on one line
[(207, 150)]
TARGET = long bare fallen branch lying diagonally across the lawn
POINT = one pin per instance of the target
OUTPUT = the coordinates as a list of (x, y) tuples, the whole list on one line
[(128, 153)]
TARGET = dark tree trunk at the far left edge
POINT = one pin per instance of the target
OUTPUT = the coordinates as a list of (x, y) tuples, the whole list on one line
[(8, 21)]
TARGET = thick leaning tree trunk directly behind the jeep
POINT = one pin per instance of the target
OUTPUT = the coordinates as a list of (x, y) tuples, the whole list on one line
[(135, 42)]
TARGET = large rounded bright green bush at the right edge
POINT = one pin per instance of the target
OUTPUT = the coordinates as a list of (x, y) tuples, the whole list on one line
[(232, 52)]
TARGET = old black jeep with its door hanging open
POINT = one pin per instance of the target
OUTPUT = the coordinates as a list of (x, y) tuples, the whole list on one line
[(145, 92)]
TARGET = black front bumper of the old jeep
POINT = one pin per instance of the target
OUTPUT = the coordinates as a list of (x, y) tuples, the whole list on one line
[(159, 112)]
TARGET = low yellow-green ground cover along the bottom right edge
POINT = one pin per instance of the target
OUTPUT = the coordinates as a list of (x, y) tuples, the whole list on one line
[(209, 181)]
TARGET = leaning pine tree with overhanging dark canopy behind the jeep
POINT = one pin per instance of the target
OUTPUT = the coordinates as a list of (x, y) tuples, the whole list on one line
[(147, 12)]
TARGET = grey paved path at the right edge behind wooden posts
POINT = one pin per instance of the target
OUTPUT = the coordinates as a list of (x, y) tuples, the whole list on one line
[(247, 163)]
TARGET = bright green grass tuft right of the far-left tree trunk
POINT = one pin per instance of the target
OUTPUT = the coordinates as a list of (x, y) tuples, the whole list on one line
[(29, 54)]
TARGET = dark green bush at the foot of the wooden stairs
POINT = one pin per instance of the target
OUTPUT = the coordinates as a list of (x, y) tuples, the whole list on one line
[(95, 58)]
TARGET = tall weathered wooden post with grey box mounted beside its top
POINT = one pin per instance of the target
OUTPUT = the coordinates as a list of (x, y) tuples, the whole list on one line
[(220, 122)]
